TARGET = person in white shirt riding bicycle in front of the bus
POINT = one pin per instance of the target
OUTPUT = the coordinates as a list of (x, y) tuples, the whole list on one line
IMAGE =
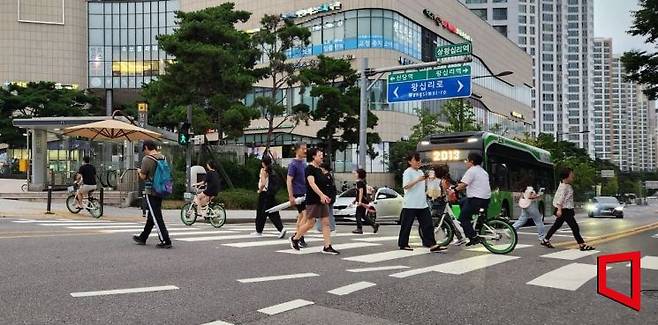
[(478, 193)]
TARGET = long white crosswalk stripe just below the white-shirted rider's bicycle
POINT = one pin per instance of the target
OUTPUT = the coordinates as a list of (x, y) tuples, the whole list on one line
[(460, 266)]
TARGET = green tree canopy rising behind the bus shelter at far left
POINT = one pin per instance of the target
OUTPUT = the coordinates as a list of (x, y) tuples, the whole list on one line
[(41, 99)]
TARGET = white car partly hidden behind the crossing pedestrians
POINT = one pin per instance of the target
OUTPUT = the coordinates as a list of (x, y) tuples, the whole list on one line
[(387, 205)]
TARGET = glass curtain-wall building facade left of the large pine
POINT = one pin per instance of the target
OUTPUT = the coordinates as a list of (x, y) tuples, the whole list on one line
[(123, 49)]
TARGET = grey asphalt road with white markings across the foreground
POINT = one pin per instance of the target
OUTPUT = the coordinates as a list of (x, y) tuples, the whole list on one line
[(53, 269)]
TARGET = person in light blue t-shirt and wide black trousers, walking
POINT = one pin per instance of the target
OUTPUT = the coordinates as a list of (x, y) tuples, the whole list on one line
[(415, 206)]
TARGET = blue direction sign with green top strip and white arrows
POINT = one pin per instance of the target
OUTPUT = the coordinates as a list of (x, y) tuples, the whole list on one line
[(435, 84)]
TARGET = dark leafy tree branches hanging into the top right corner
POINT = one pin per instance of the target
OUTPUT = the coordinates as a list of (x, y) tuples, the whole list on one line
[(642, 66)]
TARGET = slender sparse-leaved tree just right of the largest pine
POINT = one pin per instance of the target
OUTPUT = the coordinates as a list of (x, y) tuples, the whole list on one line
[(275, 38)]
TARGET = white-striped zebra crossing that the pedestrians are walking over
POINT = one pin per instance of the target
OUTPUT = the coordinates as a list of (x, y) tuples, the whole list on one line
[(369, 250)]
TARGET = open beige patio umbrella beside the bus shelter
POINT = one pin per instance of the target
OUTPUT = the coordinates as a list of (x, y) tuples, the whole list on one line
[(111, 129)]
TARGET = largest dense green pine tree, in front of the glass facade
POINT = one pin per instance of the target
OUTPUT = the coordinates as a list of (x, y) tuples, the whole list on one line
[(213, 72)]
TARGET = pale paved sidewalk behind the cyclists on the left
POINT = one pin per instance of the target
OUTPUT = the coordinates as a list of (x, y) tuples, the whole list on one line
[(36, 210)]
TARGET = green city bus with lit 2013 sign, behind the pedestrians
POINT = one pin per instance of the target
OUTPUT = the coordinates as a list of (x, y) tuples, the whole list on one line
[(510, 165)]
